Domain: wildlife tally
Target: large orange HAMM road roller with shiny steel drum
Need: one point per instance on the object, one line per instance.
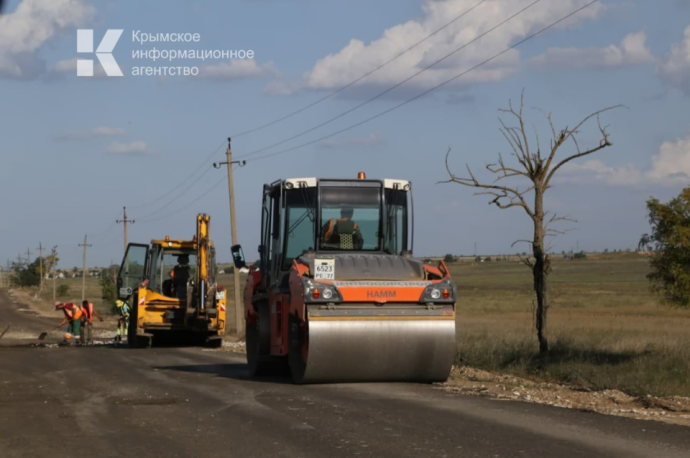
(337, 295)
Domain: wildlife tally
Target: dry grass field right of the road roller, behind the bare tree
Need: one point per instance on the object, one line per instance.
(606, 329)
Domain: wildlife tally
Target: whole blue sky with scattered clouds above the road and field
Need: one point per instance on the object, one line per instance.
(75, 150)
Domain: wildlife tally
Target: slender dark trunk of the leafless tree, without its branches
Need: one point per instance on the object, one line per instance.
(540, 271)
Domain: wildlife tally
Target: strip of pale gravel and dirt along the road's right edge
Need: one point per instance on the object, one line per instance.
(466, 380)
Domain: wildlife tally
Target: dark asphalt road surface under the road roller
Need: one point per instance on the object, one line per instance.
(187, 402)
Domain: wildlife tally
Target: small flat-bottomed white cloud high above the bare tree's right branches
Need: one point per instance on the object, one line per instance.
(632, 51)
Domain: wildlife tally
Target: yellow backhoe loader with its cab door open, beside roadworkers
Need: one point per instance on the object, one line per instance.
(171, 290)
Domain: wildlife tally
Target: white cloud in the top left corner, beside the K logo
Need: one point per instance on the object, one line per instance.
(33, 24)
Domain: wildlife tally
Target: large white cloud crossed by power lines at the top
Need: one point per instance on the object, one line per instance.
(358, 58)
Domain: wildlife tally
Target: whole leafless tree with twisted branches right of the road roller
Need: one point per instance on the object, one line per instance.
(537, 170)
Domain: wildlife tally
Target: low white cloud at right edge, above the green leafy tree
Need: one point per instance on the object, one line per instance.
(670, 167)
